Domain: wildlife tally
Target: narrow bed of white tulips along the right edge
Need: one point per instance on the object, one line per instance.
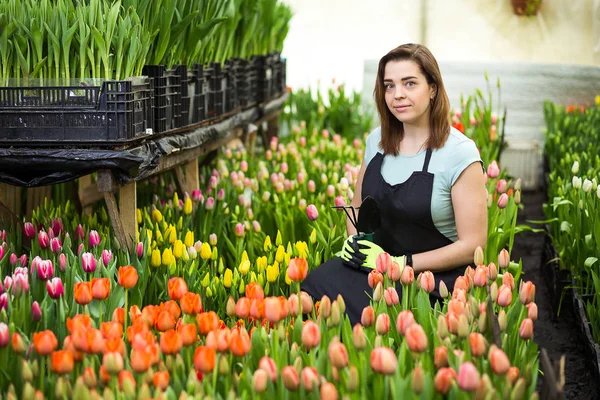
(574, 206)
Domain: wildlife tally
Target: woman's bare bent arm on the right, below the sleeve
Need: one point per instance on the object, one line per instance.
(469, 200)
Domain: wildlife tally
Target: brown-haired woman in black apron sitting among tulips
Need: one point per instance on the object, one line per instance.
(425, 176)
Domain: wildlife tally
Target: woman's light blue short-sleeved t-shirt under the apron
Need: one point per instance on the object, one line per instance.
(447, 163)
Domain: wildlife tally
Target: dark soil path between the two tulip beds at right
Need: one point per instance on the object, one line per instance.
(558, 335)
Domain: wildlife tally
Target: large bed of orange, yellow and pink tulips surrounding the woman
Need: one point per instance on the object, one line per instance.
(208, 302)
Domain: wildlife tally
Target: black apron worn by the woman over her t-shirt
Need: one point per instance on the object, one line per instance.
(406, 227)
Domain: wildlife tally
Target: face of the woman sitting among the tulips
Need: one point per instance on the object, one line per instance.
(407, 93)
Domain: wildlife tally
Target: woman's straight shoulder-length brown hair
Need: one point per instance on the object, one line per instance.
(392, 130)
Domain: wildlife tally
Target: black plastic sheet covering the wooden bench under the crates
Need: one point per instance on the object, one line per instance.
(31, 167)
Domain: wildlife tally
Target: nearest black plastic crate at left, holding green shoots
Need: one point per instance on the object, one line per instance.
(113, 111)
